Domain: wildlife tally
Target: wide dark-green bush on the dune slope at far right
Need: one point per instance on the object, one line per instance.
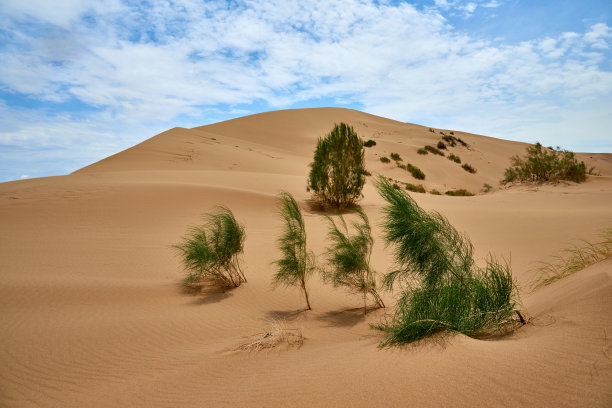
(542, 165)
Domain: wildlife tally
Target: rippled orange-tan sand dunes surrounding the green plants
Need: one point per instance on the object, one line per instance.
(92, 313)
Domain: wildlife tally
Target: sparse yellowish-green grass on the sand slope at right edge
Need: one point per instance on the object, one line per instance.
(574, 259)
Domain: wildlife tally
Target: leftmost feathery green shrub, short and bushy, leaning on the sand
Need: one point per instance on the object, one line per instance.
(210, 251)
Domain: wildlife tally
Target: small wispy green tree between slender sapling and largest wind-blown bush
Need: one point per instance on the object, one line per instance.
(348, 258)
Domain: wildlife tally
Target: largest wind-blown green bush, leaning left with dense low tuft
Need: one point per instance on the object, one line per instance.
(442, 288)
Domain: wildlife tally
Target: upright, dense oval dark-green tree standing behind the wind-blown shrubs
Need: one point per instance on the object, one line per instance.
(337, 171)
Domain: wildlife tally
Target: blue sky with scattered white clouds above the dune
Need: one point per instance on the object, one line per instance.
(81, 80)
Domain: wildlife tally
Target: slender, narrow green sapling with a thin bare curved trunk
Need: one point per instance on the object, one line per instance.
(297, 262)
